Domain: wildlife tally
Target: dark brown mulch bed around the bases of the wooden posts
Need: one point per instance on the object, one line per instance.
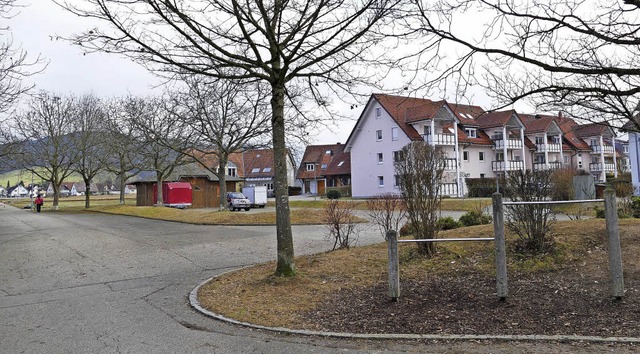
(574, 301)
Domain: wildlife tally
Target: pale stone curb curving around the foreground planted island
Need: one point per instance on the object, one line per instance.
(193, 301)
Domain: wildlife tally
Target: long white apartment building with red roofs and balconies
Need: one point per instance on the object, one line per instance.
(477, 144)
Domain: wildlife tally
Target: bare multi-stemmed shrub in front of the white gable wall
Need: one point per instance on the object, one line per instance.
(419, 172)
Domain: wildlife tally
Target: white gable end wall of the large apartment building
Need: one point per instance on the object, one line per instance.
(365, 168)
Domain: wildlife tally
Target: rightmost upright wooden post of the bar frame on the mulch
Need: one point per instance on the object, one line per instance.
(613, 234)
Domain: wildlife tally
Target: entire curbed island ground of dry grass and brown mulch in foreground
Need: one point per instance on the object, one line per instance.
(565, 293)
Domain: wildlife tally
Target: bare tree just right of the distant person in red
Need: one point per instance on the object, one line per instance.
(45, 138)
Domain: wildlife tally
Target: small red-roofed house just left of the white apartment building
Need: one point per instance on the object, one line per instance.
(325, 166)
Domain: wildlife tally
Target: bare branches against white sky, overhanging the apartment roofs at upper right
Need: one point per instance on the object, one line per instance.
(579, 56)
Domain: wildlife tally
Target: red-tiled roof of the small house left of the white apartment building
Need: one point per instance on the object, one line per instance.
(332, 156)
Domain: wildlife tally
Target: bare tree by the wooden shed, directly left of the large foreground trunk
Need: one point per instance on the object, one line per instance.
(225, 116)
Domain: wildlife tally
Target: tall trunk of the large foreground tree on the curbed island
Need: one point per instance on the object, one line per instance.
(285, 266)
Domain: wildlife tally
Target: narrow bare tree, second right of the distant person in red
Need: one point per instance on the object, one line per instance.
(88, 140)
